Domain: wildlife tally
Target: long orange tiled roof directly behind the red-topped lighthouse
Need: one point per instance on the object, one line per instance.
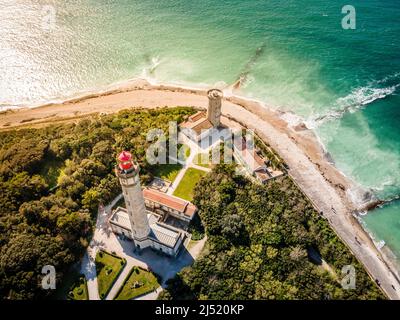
(183, 206)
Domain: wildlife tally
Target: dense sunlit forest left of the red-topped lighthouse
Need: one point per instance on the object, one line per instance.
(52, 180)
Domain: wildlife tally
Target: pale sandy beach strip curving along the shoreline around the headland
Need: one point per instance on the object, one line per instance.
(309, 165)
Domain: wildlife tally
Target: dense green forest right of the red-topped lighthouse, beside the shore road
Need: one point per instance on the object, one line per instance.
(259, 244)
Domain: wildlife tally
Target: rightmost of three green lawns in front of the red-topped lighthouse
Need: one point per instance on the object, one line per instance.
(137, 283)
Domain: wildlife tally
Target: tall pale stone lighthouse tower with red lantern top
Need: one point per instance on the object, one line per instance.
(128, 173)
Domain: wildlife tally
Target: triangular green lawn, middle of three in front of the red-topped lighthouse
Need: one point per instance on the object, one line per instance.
(108, 268)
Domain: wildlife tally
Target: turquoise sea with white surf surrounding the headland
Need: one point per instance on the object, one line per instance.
(295, 55)
